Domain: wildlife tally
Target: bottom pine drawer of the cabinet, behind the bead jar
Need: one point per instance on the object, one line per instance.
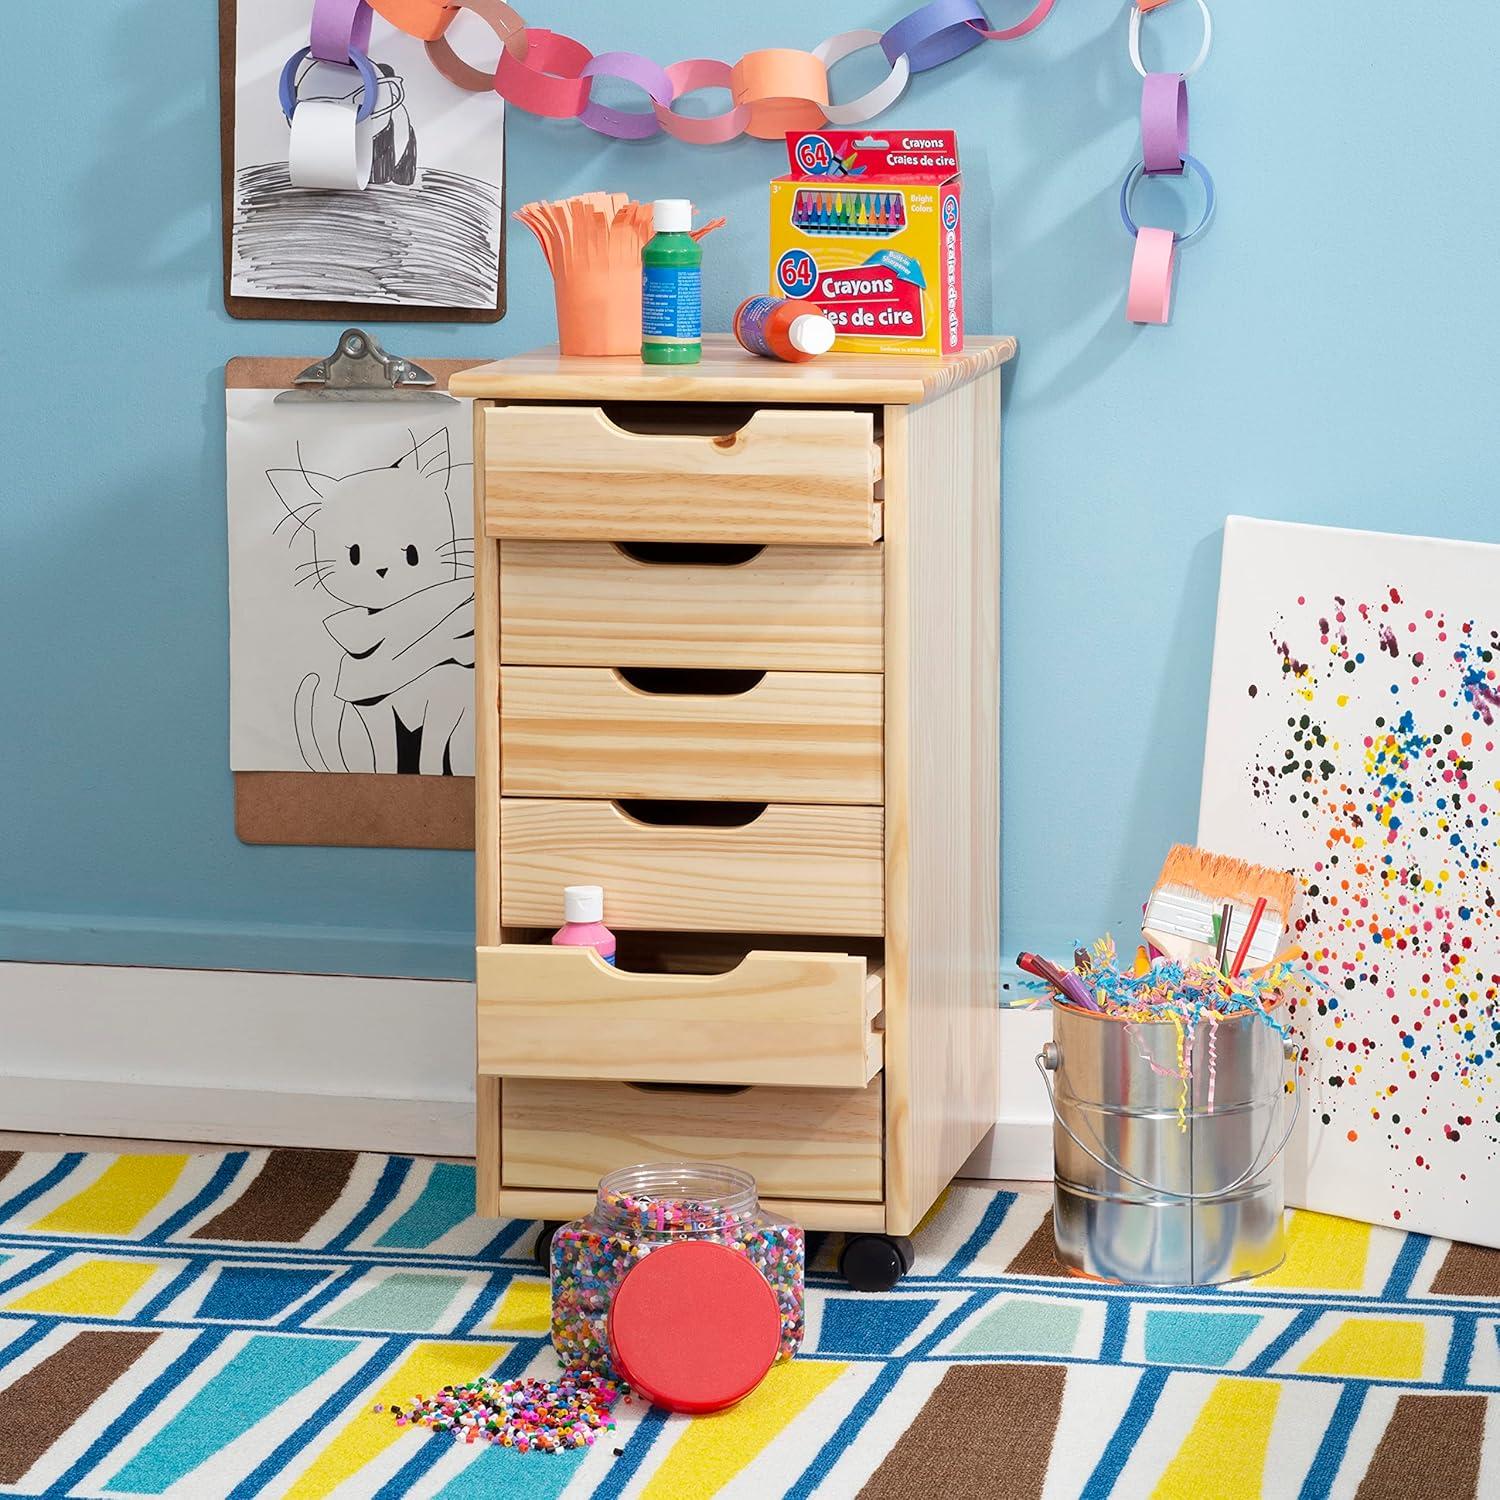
(799, 1144)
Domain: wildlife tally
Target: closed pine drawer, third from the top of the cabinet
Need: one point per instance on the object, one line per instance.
(793, 737)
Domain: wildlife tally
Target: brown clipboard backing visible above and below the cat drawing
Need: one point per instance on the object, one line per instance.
(350, 811)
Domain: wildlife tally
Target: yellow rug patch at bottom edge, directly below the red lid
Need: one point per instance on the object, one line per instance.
(713, 1450)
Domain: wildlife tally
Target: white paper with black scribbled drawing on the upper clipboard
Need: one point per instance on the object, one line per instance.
(425, 233)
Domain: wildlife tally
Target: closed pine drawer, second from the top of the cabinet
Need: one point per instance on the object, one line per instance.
(592, 604)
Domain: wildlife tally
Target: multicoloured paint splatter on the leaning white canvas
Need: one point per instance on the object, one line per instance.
(1403, 898)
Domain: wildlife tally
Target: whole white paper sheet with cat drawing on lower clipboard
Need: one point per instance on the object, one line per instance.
(352, 586)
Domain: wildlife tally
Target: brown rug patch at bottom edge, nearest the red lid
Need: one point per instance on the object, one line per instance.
(986, 1430)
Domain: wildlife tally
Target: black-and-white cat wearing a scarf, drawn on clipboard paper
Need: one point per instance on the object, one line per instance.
(386, 548)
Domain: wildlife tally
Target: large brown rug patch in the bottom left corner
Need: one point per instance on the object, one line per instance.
(50, 1397)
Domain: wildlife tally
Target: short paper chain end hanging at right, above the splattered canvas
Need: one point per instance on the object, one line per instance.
(1165, 152)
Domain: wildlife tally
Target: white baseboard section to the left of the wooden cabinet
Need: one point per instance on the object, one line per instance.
(277, 1060)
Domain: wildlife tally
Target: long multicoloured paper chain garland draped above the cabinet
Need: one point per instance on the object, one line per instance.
(775, 91)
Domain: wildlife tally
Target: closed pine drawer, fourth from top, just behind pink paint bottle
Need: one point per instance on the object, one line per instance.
(790, 871)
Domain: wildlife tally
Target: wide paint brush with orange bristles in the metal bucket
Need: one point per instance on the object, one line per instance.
(1196, 886)
